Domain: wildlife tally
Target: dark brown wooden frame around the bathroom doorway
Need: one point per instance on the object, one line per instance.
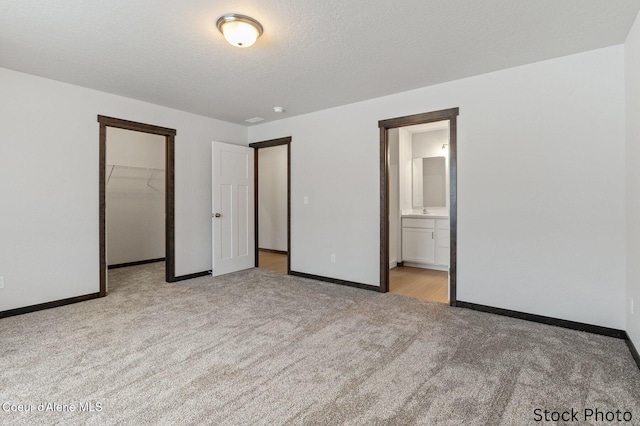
(410, 120)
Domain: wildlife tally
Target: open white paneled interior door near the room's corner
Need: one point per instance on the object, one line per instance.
(232, 216)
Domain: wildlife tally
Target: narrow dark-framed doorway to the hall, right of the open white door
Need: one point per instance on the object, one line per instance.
(273, 204)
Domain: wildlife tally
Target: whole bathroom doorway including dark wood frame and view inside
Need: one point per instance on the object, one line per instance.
(418, 241)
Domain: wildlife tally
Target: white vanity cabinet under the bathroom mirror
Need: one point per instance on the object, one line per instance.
(425, 242)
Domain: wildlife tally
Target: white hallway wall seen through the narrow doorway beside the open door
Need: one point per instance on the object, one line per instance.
(272, 198)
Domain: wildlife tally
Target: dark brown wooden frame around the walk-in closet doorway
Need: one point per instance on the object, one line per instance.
(169, 135)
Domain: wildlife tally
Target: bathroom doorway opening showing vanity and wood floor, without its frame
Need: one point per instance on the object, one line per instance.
(419, 211)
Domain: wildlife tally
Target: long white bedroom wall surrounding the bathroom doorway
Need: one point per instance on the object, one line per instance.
(539, 230)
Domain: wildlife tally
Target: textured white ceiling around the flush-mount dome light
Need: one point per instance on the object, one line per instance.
(314, 54)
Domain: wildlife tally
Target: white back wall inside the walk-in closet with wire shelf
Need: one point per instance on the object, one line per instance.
(135, 196)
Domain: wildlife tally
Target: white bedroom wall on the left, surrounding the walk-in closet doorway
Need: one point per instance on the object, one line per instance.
(49, 185)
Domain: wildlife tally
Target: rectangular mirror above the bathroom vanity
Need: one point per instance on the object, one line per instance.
(429, 182)
